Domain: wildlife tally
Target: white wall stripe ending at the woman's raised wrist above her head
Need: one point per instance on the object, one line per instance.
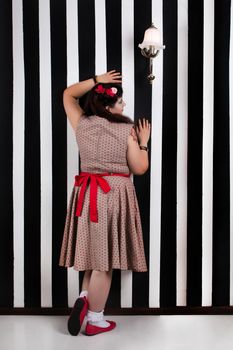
(100, 37)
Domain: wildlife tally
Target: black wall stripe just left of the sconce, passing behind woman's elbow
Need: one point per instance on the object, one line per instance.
(142, 107)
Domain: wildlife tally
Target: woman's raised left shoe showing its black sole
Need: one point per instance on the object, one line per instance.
(77, 315)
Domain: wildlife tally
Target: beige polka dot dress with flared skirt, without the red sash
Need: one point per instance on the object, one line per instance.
(116, 240)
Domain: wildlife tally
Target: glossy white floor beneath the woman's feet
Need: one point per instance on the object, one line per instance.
(132, 332)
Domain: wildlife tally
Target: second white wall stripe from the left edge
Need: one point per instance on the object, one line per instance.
(46, 154)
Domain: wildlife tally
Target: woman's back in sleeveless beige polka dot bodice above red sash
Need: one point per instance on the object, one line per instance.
(102, 145)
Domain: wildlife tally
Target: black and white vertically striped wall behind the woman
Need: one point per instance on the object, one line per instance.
(185, 197)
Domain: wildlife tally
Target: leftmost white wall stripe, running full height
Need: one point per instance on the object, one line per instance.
(18, 151)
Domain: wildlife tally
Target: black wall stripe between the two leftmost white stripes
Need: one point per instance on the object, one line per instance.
(32, 276)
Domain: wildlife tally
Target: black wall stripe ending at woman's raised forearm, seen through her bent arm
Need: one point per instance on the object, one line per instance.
(86, 24)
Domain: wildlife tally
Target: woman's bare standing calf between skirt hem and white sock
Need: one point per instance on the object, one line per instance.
(98, 289)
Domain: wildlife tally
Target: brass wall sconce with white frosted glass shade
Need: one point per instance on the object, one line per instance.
(150, 47)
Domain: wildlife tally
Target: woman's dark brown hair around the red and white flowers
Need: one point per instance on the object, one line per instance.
(96, 102)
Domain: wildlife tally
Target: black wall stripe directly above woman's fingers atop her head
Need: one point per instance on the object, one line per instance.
(113, 39)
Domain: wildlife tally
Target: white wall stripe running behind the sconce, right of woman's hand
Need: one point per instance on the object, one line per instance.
(155, 166)
